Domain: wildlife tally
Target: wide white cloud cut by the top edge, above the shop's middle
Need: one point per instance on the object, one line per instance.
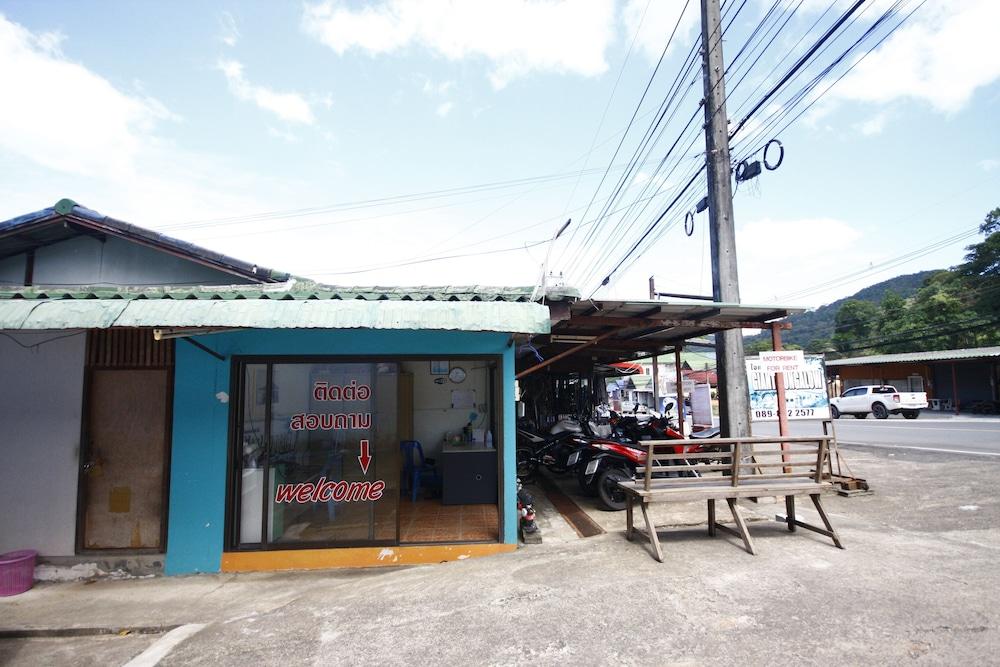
(517, 36)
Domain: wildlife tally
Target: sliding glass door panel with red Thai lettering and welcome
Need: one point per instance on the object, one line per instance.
(316, 453)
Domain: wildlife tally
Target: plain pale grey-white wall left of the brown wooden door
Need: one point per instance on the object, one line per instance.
(41, 400)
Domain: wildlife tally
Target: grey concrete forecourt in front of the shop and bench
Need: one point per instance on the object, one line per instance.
(918, 582)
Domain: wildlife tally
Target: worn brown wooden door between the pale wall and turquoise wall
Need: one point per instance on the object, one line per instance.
(123, 460)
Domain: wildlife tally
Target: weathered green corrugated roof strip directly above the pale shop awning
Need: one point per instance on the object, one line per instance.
(290, 291)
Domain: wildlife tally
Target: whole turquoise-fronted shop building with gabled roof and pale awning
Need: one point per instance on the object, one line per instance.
(252, 421)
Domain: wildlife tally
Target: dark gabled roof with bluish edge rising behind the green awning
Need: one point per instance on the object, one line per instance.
(67, 220)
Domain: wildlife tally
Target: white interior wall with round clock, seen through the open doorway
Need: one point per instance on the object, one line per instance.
(432, 411)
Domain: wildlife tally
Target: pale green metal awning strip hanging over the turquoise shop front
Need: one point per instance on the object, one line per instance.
(49, 314)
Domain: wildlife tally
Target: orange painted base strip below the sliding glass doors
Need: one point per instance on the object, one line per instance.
(321, 559)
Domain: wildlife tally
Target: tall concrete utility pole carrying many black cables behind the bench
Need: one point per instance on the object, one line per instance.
(734, 404)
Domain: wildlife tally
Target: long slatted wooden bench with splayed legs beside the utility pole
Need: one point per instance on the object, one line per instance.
(743, 468)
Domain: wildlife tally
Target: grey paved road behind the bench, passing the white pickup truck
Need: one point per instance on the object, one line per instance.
(966, 435)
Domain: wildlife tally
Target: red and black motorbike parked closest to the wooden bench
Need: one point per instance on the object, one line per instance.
(608, 462)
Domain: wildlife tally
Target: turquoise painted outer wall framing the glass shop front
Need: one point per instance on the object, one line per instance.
(196, 522)
